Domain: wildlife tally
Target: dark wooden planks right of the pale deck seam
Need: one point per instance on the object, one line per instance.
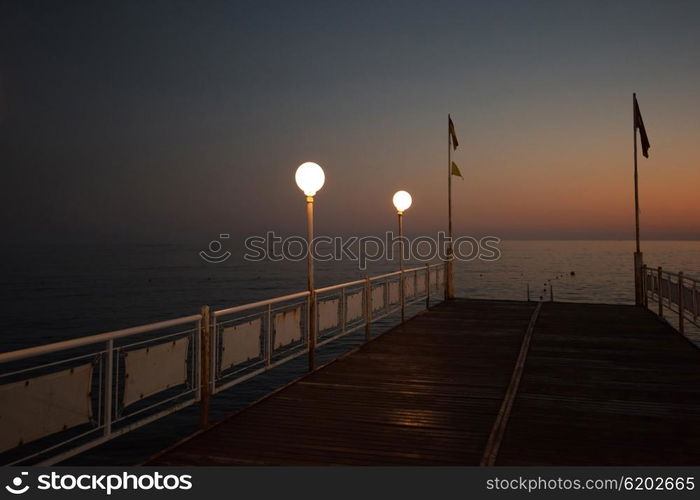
(605, 385)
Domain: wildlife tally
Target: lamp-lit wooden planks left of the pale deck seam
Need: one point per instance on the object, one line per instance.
(425, 393)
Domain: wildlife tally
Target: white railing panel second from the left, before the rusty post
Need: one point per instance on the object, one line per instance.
(153, 369)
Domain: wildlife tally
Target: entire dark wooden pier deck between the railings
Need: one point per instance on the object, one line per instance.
(481, 382)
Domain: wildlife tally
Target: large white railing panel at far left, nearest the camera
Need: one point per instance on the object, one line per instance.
(44, 405)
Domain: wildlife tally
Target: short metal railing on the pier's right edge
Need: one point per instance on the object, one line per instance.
(674, 292)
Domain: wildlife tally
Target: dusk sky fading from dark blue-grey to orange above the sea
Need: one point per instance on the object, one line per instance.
(146, 121)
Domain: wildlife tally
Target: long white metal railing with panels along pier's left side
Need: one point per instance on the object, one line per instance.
(60, 399)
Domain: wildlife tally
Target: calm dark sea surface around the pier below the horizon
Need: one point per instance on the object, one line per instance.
(51, 294)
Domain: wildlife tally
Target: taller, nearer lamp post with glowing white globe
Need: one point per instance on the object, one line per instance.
(310, 178)
